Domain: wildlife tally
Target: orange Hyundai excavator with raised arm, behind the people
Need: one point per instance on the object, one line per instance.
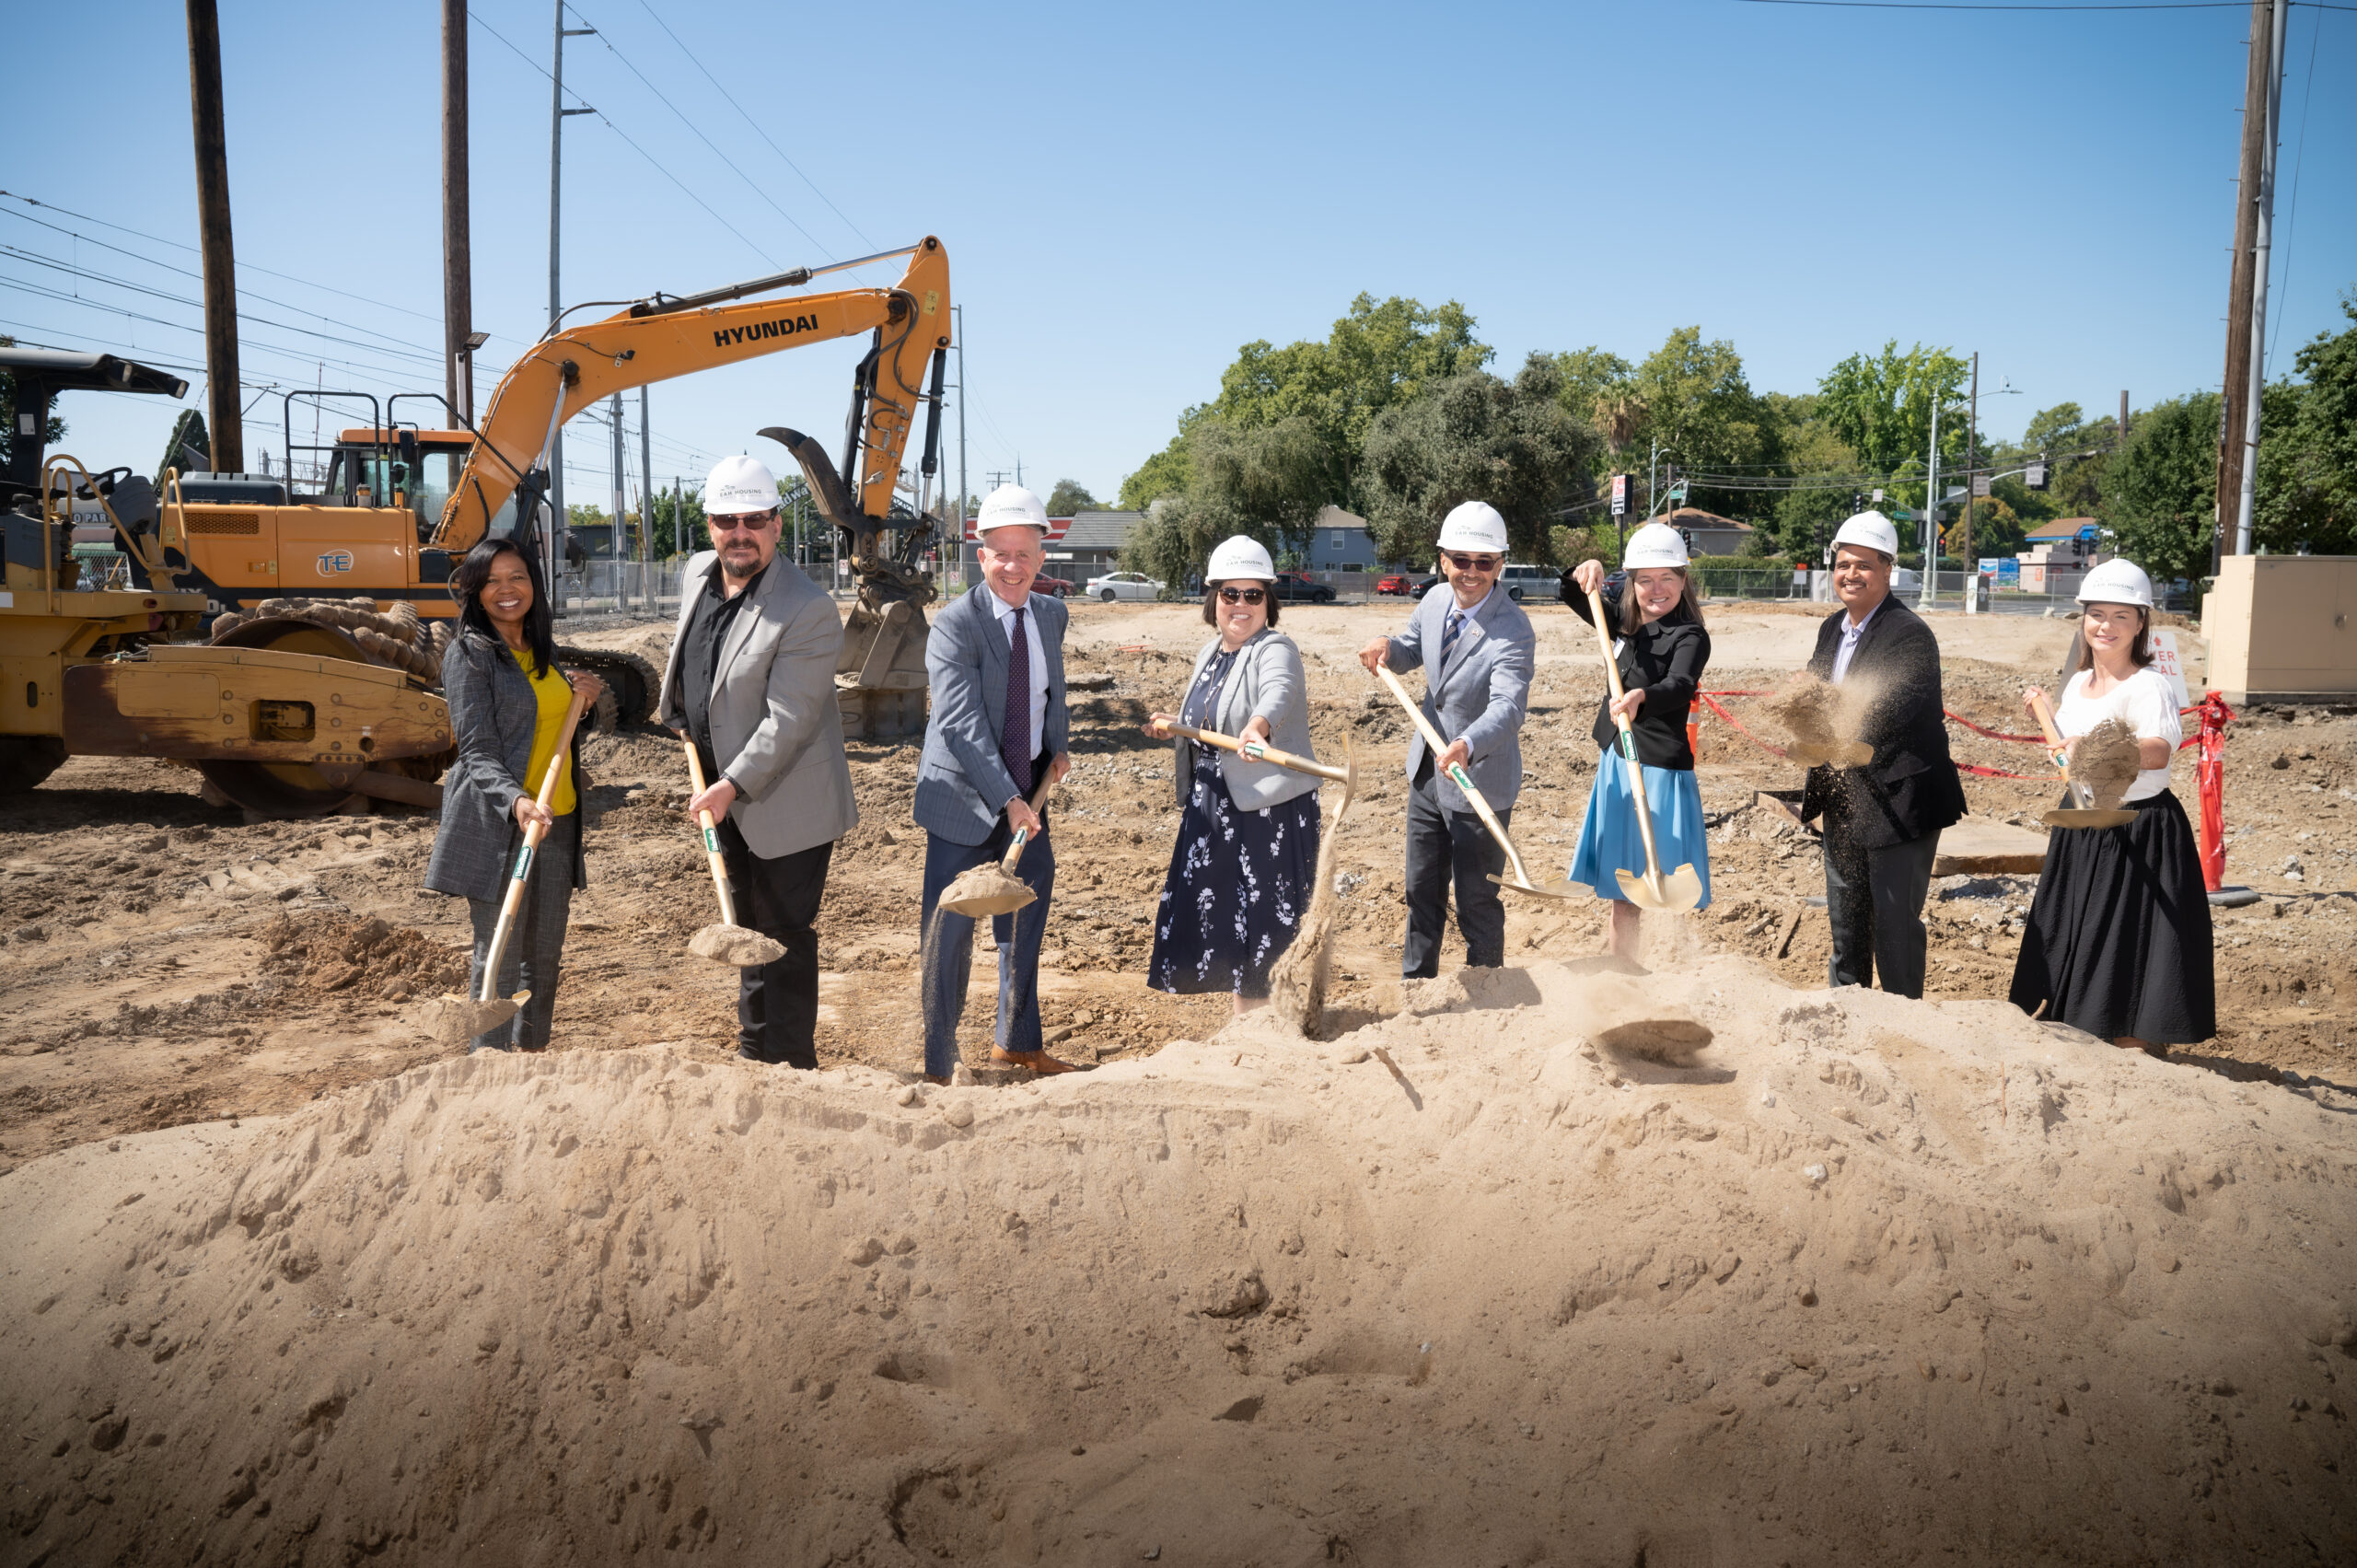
(400, 506)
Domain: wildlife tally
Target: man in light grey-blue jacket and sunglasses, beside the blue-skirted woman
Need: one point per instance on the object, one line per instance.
(1477, 650)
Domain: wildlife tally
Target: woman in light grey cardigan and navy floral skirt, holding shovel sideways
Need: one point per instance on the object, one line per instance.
(1248, 845)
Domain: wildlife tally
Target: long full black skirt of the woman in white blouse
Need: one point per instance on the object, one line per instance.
(2120, 937)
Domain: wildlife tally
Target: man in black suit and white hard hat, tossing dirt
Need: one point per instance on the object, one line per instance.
(1884, 819)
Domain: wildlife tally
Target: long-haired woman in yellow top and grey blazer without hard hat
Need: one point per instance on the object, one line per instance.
(508, 704)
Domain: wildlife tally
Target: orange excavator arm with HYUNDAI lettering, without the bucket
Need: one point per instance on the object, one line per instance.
(661, 338)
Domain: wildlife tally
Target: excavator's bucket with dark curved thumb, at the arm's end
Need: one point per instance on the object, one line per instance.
(880, 678)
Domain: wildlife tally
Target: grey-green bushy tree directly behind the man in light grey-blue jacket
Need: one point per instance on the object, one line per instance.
(1477, 437)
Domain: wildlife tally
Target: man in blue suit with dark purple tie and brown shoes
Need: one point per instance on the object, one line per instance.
(998, 732)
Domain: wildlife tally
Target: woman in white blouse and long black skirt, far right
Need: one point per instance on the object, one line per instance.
(2120, 935)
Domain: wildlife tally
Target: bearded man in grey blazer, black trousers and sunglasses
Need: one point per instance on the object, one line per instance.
(753, 683)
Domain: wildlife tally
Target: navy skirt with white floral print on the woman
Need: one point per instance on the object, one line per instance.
(1239, 888)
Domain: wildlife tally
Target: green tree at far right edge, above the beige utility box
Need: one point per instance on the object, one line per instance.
(2309, 449)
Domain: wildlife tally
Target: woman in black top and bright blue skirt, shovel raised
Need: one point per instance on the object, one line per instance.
(1663, 652)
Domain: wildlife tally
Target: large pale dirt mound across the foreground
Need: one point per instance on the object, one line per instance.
(1877, 1279)
